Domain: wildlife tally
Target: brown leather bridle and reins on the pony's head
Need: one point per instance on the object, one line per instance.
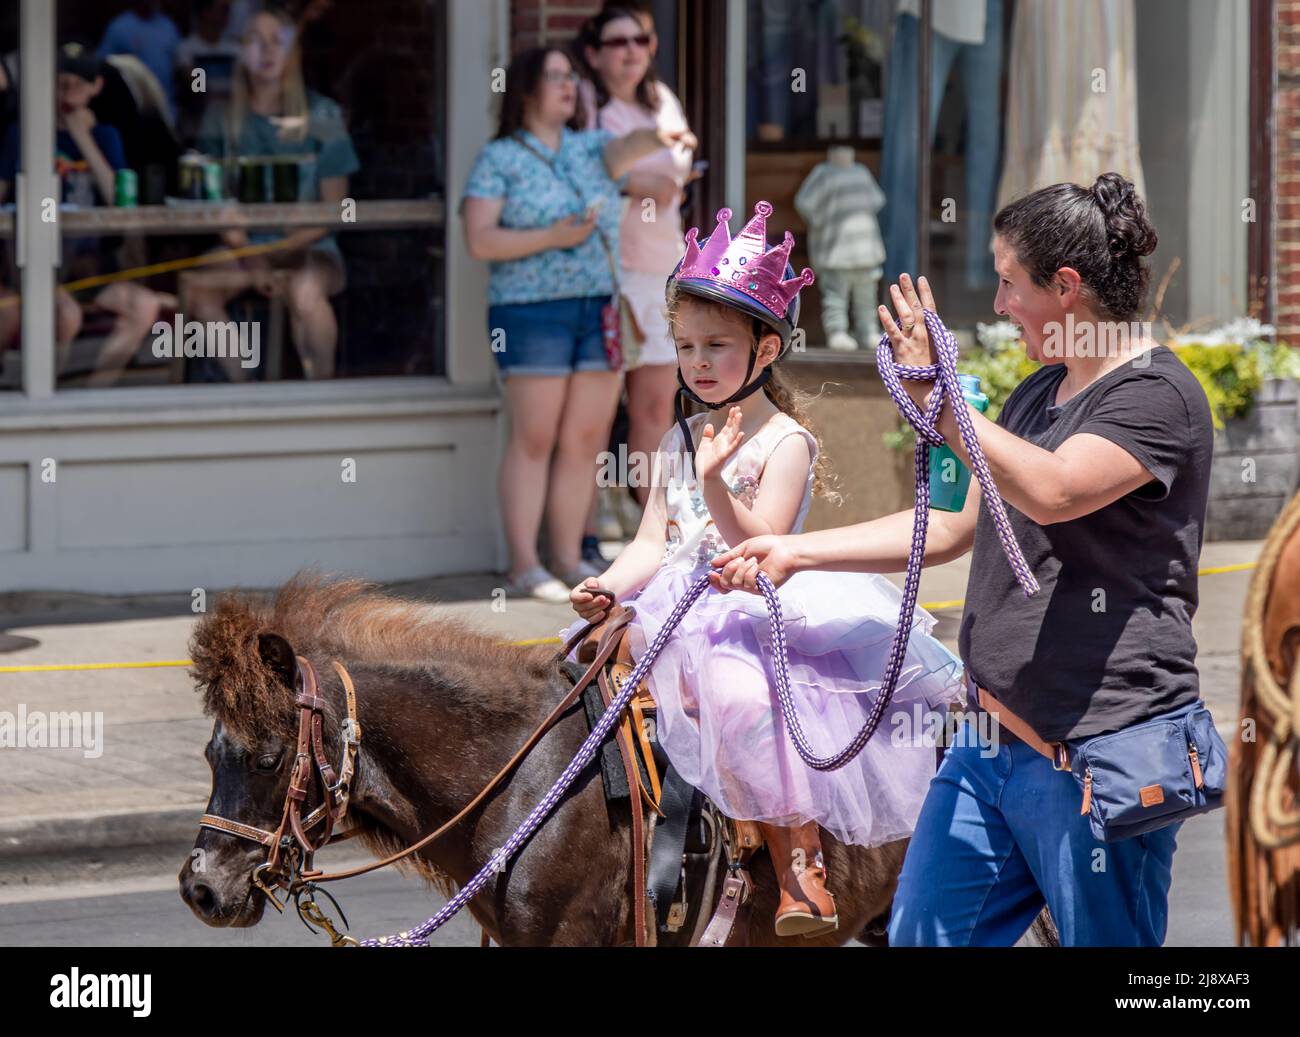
(292, 851)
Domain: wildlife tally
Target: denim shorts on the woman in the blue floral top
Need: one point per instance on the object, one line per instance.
(557, 337)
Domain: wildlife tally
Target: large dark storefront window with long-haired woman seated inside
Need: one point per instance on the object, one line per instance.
(249, 196)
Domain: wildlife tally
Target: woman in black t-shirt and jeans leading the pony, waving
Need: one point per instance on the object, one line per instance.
(1104, 461)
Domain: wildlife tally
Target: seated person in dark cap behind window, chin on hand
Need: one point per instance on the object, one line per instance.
(89, 155)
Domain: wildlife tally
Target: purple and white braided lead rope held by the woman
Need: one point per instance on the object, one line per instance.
(944, 376)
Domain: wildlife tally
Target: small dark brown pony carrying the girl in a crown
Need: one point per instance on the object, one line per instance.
(441, 709)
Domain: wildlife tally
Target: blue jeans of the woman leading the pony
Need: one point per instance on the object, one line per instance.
(999, 836)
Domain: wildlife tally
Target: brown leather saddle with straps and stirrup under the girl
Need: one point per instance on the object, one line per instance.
(690, 835)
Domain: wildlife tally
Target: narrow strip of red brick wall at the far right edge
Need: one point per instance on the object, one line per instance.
(1288, 158)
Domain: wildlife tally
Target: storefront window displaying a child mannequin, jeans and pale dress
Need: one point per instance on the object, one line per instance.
(1022, 94)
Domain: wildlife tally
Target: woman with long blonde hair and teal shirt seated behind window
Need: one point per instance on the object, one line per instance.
(272, 114)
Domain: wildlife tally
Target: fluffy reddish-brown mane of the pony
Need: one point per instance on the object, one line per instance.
(328, 618)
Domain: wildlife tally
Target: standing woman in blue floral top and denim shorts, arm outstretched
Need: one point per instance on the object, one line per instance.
(541, 207)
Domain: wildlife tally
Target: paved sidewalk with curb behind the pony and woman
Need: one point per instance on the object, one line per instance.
(153, 782)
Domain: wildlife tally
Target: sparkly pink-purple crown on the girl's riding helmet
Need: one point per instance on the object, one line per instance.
(746, 263)
